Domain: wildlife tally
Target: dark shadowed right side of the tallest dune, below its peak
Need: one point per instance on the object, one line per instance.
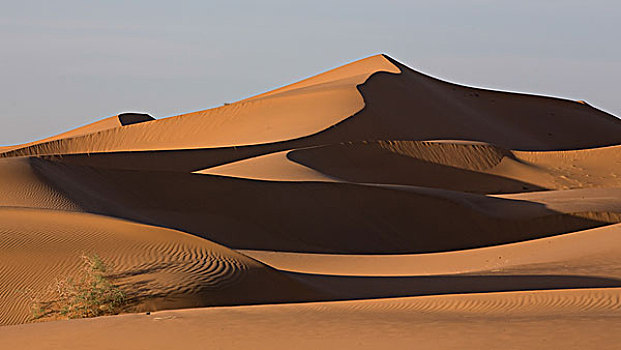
(448, 111)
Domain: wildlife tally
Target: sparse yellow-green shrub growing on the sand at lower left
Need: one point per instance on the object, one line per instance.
(93, 294)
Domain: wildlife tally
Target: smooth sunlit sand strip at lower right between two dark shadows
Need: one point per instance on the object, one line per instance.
(572, 249)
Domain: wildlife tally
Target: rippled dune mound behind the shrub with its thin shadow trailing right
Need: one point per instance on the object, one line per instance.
(169, 269)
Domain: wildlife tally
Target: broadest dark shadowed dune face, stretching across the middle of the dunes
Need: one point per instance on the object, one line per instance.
(248, 214)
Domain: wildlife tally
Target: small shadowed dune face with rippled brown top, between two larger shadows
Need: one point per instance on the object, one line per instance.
(414, 163)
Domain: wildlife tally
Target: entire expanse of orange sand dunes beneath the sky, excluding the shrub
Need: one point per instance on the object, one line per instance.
(372, 194)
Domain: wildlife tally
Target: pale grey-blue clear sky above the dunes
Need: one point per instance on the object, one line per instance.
(64, 64)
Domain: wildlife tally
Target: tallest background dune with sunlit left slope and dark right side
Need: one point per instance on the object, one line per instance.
(353, 103)
